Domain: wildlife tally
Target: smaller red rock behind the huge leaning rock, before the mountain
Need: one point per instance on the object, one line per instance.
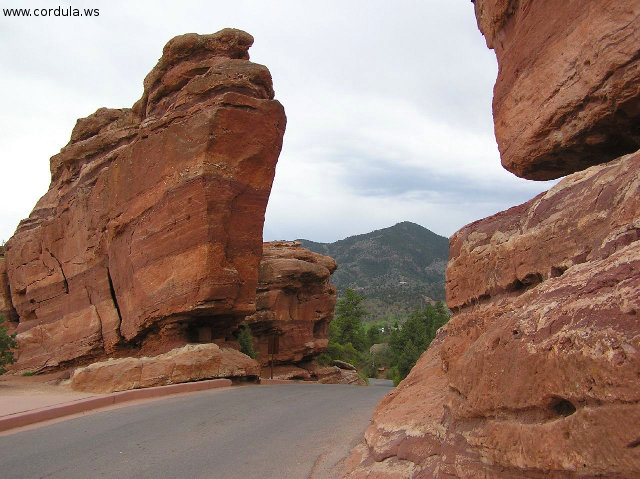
(294, 301)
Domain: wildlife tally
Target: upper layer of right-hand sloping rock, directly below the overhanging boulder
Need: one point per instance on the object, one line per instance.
(586, 217)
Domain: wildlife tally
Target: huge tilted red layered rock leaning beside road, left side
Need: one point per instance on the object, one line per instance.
(152, 225)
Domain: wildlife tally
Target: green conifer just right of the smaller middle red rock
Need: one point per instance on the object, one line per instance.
(347, 325)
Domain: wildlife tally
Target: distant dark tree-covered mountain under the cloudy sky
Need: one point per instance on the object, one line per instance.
(396, 268)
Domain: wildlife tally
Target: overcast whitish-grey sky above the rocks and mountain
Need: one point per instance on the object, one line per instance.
(388, 104)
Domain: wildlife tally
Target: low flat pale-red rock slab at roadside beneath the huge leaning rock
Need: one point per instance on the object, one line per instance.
(192, 362)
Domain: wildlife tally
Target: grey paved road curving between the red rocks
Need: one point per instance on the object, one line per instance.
(280, 431)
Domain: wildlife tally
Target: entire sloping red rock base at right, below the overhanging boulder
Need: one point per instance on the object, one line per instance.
(540, 380)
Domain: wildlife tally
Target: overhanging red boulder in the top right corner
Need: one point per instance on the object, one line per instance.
(567, 94)
